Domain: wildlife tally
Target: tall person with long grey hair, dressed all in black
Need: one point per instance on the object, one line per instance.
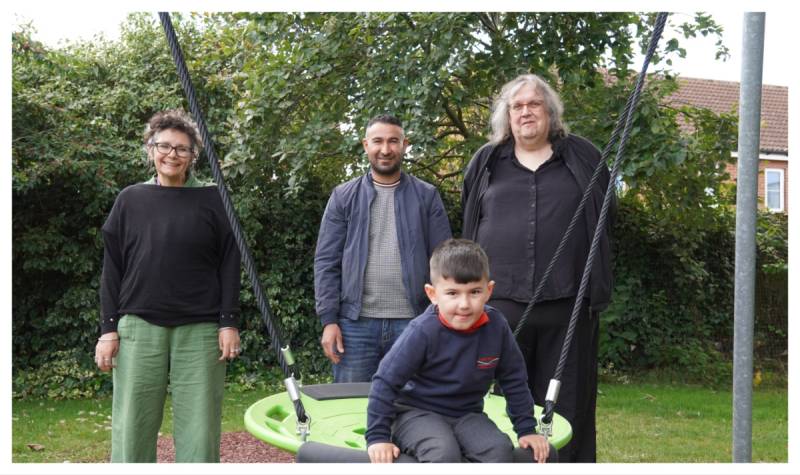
(519, 194)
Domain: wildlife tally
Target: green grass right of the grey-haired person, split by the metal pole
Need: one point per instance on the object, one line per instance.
(669, 423)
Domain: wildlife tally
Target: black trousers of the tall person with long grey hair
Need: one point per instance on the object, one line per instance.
(540, 342)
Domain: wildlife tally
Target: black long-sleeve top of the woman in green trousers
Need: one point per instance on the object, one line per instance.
(170, 258)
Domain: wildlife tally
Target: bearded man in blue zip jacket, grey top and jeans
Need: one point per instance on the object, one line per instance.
(371, 262)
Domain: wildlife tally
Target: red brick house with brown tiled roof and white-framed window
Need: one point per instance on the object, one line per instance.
(773, 163)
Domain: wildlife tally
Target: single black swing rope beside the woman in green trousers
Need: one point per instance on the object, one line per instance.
(284, 355)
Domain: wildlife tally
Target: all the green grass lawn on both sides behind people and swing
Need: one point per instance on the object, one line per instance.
(636, 422)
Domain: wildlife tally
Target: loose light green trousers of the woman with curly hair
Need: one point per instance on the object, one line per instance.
(149, 358)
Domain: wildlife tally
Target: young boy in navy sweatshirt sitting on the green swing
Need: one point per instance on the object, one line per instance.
(427, 396)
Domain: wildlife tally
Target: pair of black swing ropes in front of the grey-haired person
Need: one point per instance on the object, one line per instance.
(627, 119)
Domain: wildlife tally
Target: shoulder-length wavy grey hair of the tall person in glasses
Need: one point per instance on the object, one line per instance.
(501, 127)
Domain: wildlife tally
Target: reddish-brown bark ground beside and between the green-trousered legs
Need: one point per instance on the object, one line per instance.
(235, 447)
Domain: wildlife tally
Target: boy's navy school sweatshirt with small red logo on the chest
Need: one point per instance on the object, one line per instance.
(435, 368)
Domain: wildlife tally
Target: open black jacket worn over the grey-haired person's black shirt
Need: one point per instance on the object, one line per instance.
(581, 158)
